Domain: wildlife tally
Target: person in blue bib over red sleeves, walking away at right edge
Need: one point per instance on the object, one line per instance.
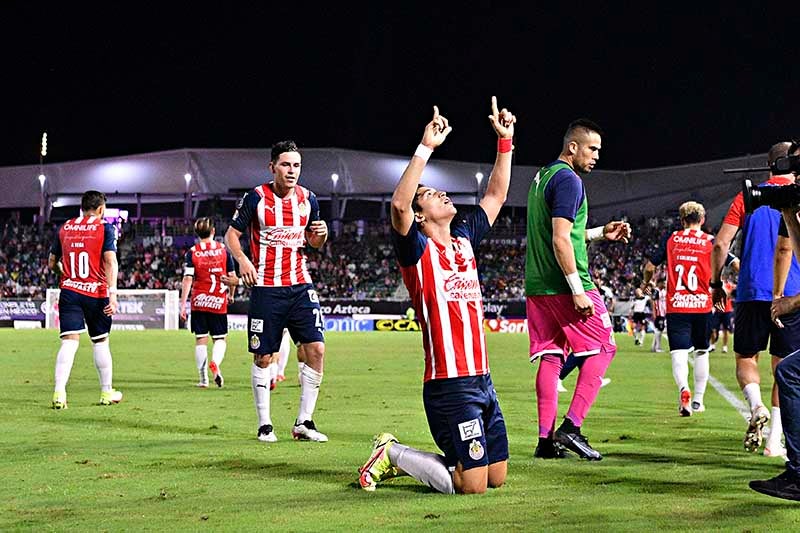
(755, 291)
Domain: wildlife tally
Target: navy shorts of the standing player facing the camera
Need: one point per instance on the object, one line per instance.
(295, 308)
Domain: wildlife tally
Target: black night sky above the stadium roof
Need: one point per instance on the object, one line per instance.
(668, 85)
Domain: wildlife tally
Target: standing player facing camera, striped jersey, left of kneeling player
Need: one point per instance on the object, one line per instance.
(280, 218)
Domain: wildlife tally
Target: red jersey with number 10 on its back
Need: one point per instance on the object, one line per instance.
(80, 246)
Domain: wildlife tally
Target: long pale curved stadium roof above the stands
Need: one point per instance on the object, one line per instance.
(159, 177)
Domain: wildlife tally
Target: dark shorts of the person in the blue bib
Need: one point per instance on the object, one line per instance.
(754, 328)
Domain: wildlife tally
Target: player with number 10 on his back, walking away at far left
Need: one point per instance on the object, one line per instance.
(85, 255)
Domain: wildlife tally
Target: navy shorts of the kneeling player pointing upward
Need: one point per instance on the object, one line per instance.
(465, 421)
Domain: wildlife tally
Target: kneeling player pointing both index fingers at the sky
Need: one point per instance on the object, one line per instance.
(437, 261)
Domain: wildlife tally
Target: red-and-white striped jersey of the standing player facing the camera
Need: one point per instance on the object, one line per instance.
(277, 229)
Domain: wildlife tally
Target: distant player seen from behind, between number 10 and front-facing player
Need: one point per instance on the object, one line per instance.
(206, 274)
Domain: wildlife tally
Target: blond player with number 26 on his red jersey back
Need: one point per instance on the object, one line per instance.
(688, 255)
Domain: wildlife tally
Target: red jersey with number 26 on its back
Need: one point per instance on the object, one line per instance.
(689, 271)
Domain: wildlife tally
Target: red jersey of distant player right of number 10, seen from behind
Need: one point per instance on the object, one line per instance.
(206, 262)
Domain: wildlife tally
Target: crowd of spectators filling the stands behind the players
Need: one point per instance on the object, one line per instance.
(357, 262)
